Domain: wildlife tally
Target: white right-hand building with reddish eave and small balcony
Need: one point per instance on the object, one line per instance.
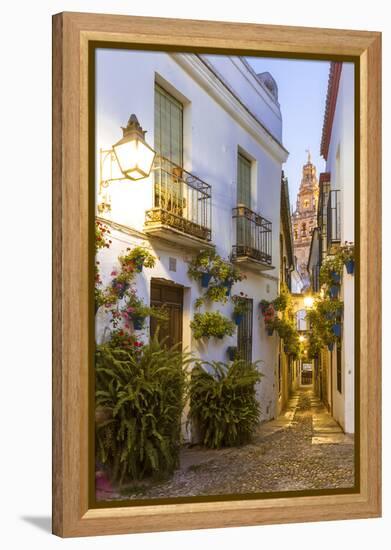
(338, 184)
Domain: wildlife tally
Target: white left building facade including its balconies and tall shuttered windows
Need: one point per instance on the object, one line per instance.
(220, 123)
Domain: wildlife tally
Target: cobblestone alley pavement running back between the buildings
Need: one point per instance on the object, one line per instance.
(302, 449)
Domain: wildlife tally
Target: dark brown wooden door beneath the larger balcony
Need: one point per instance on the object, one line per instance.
(171, 298)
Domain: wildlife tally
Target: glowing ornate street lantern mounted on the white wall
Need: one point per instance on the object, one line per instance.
(135, 157)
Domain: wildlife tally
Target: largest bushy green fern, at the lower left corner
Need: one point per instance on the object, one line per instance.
(142, 394)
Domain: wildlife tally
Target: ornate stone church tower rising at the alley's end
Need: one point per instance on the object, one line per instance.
(304, 219)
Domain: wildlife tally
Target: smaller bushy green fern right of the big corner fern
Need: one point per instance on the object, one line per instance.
(223, 402)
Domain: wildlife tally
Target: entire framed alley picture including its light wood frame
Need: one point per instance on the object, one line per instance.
(216, 207)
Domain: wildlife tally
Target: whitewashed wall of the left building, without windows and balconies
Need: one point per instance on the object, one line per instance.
(212, 137)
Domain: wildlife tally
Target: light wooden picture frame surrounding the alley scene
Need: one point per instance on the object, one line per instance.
(72, 34)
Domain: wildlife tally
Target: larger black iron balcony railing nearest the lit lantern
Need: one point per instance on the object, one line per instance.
(181, 201)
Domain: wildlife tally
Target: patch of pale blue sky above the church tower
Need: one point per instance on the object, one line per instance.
(302, 88)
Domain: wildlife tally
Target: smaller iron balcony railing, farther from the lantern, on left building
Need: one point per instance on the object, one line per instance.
(253, 236)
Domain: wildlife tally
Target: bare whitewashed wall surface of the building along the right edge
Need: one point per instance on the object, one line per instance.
(340, 164)
